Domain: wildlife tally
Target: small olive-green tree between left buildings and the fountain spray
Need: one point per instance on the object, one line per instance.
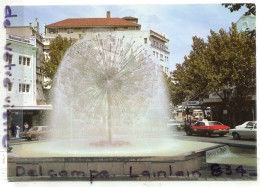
(51, 62)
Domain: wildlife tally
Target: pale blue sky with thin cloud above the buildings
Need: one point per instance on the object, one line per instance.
(178, 22)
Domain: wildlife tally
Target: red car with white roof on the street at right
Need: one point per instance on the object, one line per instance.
(207, 128)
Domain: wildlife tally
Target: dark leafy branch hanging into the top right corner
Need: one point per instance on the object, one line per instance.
(237, 6)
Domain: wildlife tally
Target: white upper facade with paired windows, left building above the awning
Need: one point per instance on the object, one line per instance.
(22, 89)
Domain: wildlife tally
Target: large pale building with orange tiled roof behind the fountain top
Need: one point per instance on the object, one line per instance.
(156, 44)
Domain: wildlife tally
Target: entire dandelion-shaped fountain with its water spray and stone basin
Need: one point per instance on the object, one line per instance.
(110, 114)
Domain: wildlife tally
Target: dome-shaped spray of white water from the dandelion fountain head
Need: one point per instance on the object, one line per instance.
(109, 83)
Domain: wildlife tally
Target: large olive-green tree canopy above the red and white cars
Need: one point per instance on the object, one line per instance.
(226, 60)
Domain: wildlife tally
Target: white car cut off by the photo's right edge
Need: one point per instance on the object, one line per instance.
(245, 131)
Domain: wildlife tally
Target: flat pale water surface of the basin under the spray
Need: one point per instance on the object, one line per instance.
(85, 148)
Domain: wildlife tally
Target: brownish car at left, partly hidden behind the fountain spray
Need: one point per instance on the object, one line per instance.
(36, 132)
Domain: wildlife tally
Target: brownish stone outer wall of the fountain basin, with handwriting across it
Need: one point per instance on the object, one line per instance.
(107, 168)
